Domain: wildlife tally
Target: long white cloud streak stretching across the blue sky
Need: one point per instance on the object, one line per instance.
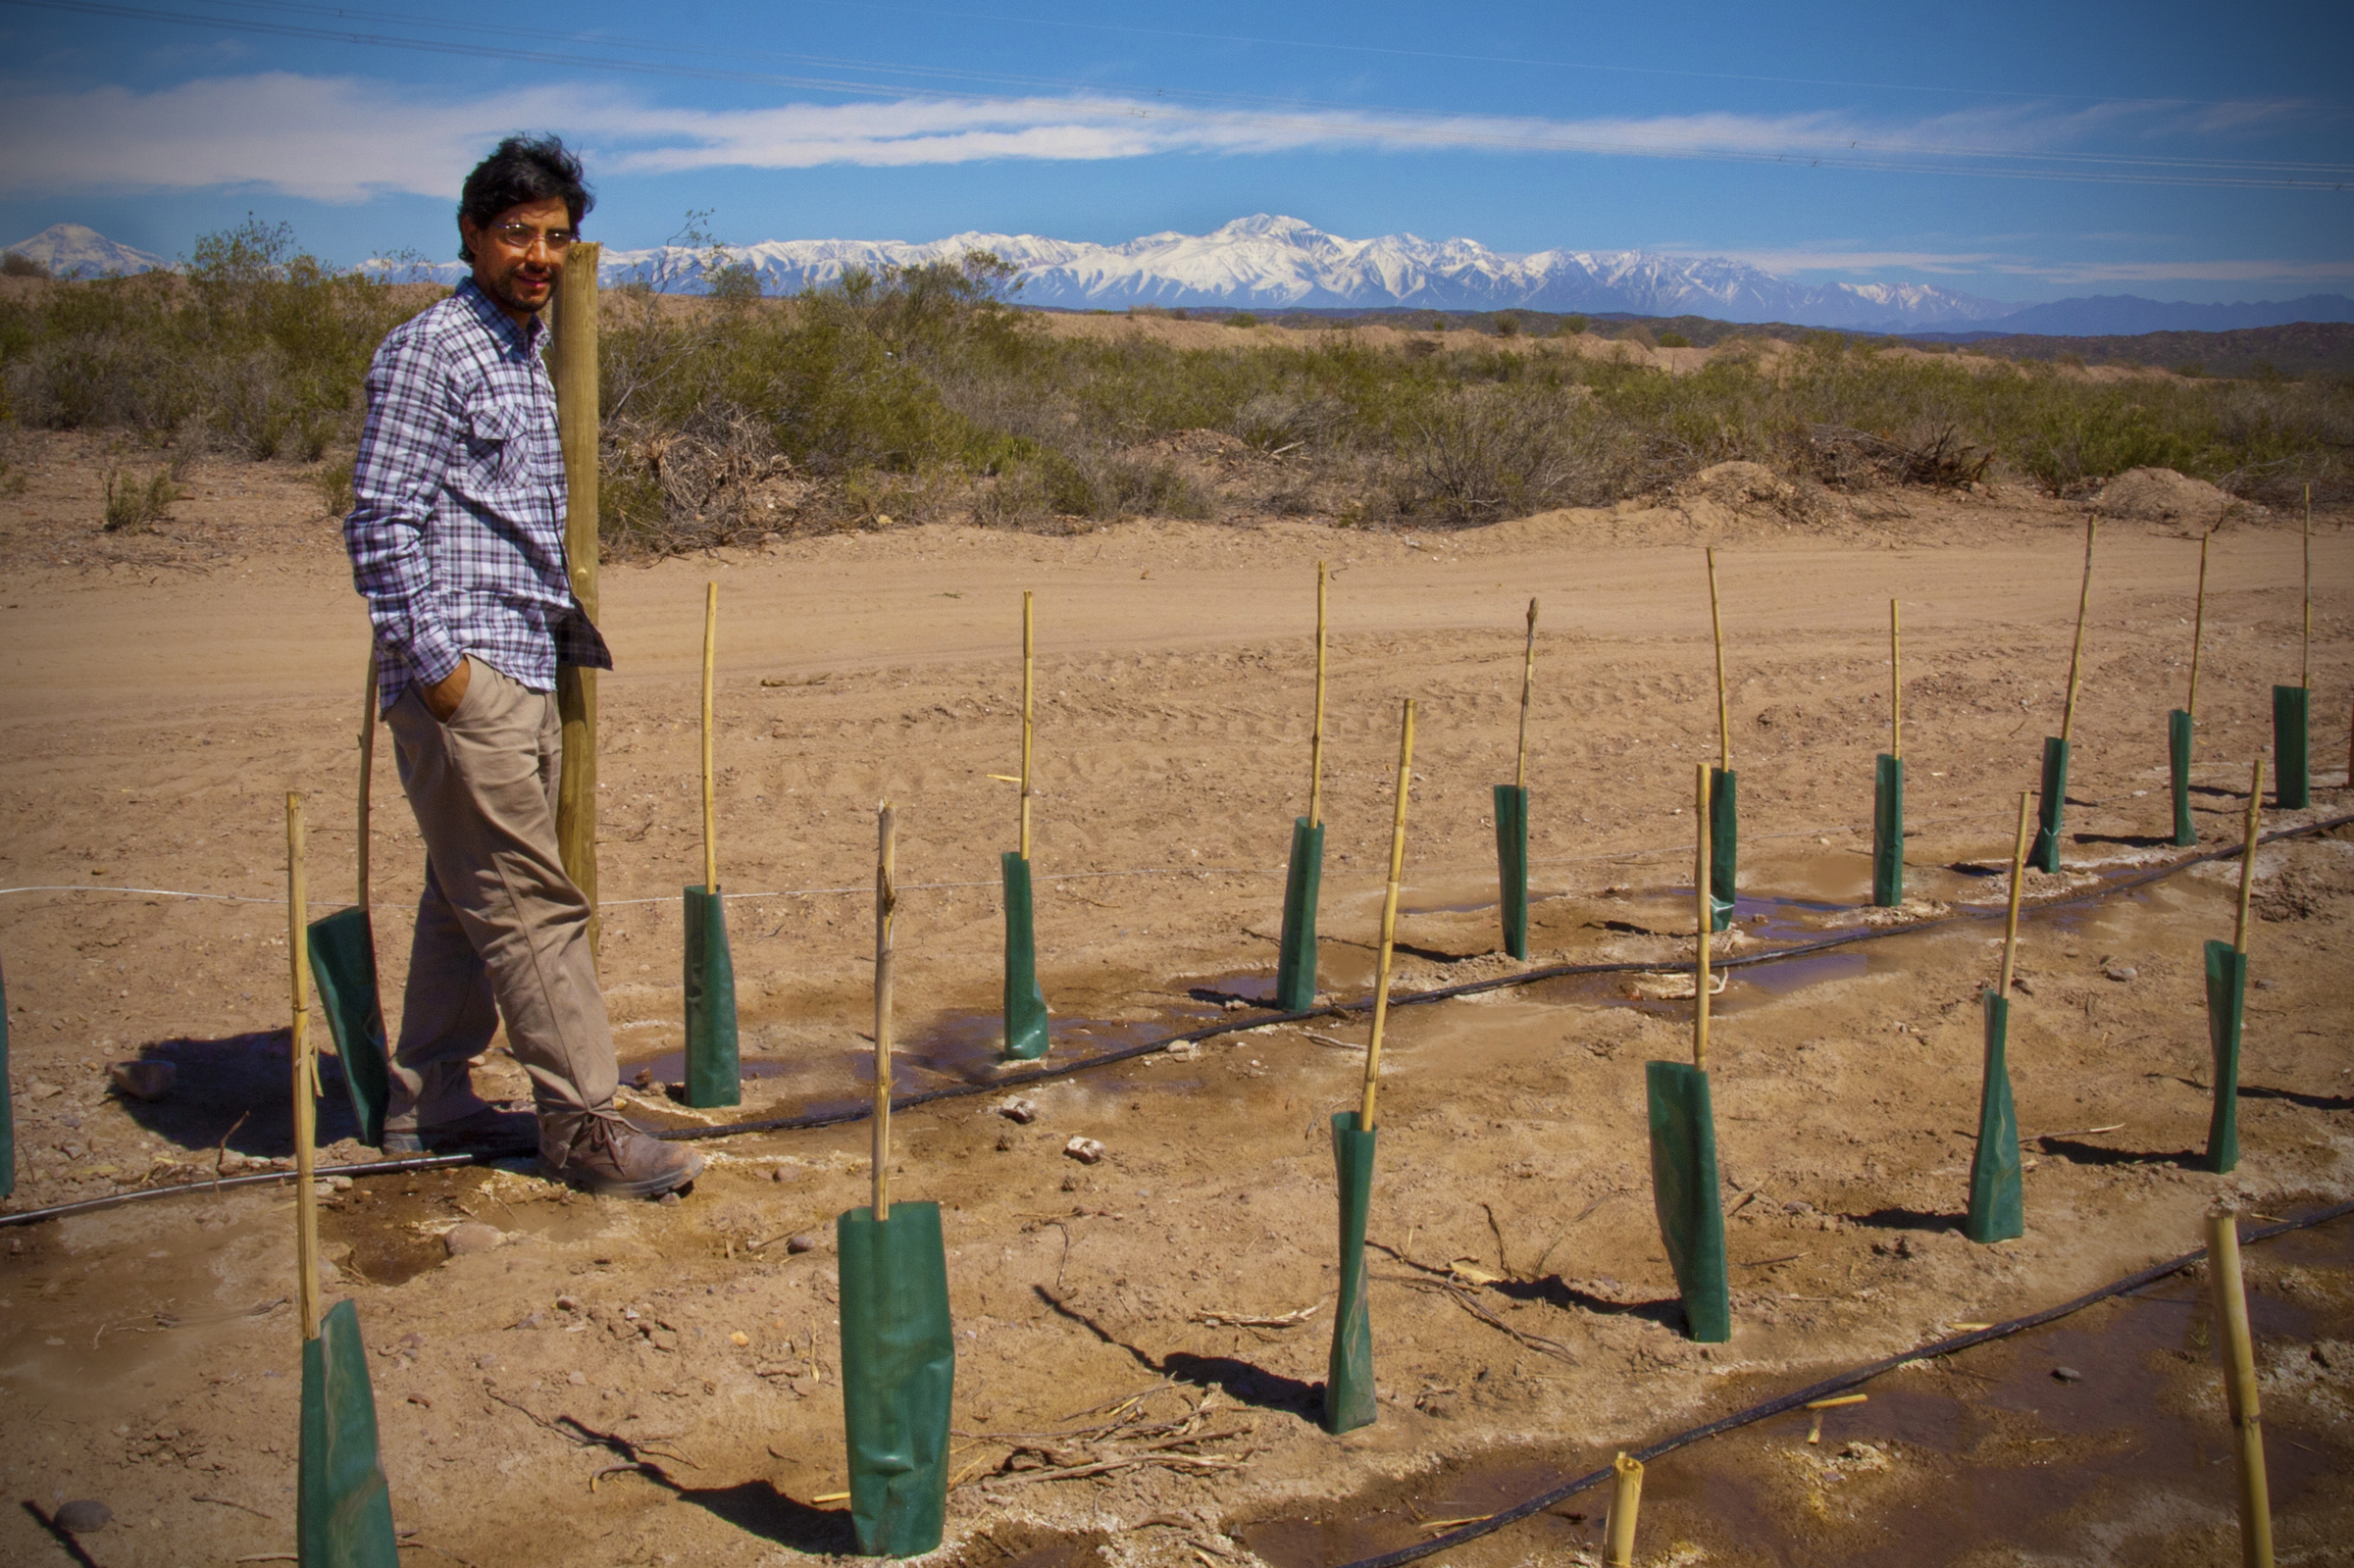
(350, 138)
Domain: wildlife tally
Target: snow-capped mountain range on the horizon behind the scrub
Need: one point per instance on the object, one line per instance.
(1279, 265)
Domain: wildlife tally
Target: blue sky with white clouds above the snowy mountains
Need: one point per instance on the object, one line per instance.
(2007, 150)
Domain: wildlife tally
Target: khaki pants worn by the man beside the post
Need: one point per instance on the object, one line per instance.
(500, 929)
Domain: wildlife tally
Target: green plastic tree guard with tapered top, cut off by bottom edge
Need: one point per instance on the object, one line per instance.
(343, 1508)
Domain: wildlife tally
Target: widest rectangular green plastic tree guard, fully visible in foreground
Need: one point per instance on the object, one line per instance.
(898, 1376)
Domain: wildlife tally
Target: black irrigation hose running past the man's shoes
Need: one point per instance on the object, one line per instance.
(1190, 1037)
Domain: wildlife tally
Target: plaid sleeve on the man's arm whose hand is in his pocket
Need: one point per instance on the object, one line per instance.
(406, 453)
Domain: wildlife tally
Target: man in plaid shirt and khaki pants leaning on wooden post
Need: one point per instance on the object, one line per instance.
(458, 543)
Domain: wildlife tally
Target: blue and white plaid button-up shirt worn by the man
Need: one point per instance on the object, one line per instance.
(458, 538)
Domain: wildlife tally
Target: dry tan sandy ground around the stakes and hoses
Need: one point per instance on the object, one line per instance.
(164, 691)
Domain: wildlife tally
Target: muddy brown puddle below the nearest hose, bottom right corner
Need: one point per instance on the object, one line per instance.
(1969, 1461)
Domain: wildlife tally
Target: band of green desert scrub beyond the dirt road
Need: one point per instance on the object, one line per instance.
(924, 394)
